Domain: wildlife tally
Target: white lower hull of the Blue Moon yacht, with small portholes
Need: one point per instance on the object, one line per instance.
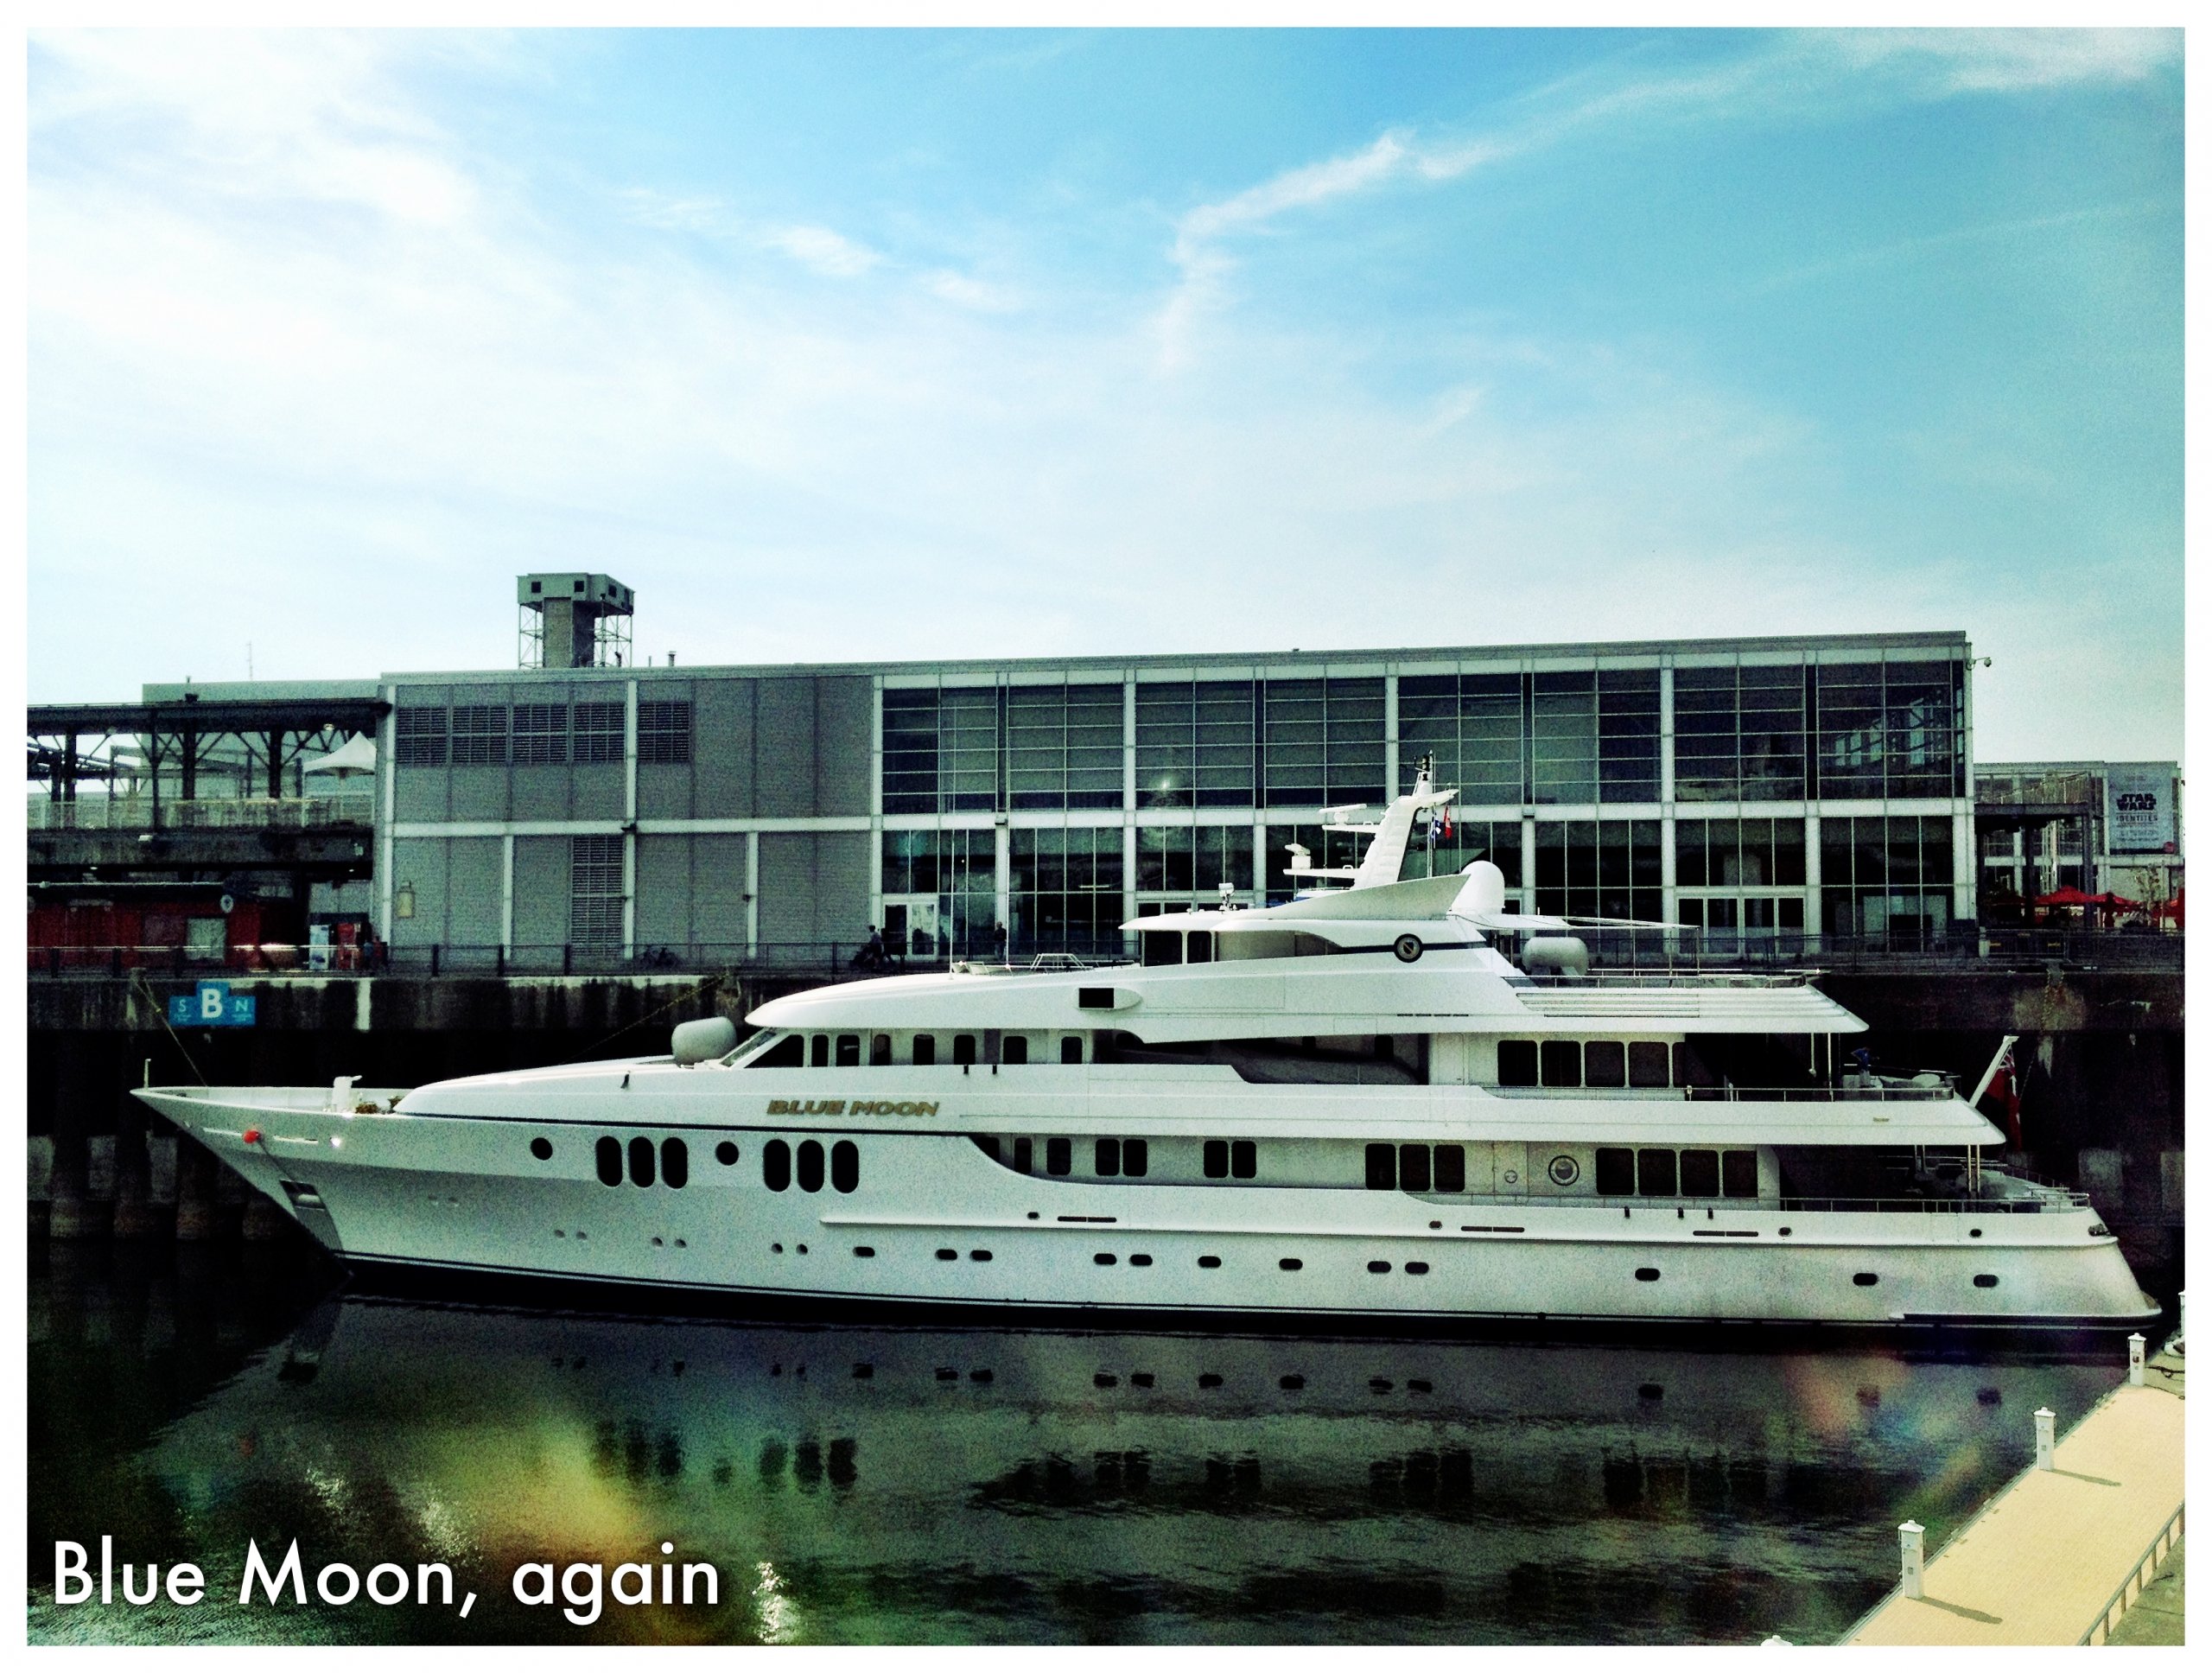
(932, 1223)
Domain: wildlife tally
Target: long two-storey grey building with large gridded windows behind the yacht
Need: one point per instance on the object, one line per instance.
(1813, 787)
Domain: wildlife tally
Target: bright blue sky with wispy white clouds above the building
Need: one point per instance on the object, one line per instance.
(884, 346)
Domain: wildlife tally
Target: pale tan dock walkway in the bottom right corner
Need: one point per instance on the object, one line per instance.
(2049, 1552)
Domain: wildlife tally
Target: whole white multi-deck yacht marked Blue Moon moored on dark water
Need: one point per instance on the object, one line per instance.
(1353, 1105)
